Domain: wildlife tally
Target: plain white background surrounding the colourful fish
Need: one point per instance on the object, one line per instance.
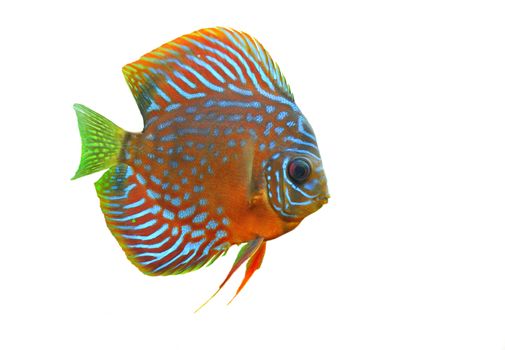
(407, 101)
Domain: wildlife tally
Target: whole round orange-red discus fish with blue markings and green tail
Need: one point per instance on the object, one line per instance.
(225, 156)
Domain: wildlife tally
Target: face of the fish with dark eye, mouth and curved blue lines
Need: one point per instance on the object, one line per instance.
(296, 184)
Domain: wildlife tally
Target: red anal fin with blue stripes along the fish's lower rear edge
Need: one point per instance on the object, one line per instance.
(154, 241)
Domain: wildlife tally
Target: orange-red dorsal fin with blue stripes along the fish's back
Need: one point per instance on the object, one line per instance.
(203, 63)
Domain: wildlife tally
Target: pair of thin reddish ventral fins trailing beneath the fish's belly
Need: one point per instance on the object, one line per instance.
(253, 251)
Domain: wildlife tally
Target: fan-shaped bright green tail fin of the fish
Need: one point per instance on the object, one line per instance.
(101, 141)
